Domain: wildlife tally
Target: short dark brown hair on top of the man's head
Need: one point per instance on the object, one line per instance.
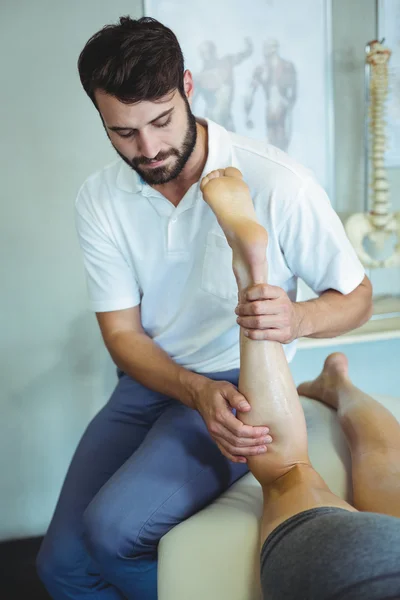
(133, 60)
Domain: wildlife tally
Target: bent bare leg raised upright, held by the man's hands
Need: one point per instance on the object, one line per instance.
(290, 484)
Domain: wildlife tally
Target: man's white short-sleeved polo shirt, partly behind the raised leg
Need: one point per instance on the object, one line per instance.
(175, 262)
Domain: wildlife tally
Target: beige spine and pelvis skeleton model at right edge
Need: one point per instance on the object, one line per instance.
(379, 225)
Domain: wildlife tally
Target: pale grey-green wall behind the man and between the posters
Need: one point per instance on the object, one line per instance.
(54, 372)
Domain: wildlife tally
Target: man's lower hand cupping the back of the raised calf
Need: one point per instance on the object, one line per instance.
(215, 401)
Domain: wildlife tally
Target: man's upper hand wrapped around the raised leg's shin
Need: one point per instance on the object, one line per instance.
(269, 314)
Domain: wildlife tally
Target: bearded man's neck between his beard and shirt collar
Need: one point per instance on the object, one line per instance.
(175, 190)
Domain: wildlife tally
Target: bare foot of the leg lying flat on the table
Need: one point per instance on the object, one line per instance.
(334, 376)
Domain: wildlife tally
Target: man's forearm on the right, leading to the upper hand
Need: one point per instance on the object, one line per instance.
(334, 313)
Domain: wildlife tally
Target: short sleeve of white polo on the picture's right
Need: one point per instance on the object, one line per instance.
(315, 244)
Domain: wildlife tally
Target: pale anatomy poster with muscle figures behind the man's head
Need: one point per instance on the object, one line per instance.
(261, 69)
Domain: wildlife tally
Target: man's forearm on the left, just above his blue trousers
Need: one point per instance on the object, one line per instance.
(141, 358)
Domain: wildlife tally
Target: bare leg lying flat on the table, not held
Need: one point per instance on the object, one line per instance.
(372, 432)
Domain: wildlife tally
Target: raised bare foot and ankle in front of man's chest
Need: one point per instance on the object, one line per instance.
(229, 198)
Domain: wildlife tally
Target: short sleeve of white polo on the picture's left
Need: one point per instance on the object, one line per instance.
(111, 281)
